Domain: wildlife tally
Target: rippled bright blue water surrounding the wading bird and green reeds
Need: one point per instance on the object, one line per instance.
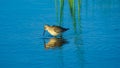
(22, 43)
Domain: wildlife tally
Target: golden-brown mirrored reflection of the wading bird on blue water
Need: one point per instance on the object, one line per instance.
(55, 42)
